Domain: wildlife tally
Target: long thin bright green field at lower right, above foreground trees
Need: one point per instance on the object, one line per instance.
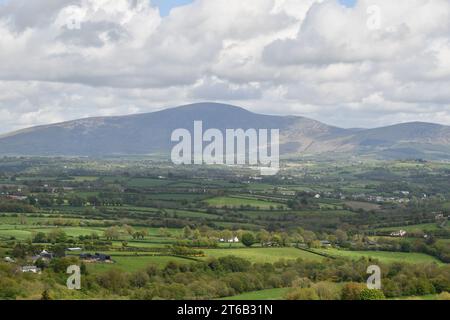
(383, 256)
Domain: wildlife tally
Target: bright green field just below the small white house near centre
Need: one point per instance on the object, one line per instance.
(264, 255)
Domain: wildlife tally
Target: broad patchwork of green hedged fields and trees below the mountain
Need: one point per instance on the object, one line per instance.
(147, 230)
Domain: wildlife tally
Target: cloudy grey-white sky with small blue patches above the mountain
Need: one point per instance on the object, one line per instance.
(364, 63)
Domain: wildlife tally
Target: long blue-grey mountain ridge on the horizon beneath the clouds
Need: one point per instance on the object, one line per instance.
(148, 133)
